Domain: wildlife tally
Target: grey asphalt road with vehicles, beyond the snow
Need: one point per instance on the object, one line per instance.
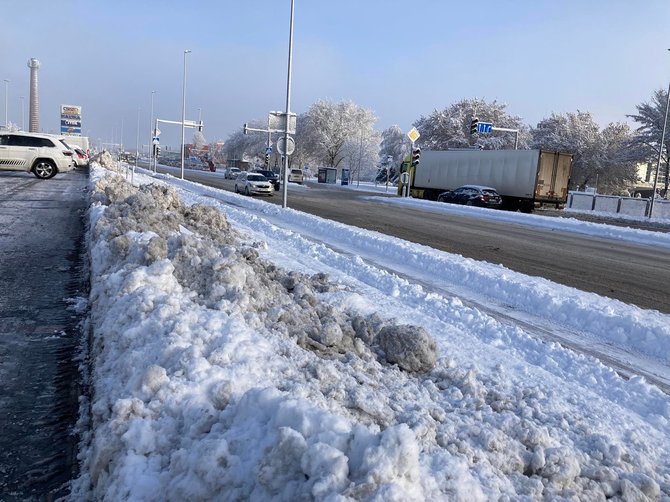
(634, 274)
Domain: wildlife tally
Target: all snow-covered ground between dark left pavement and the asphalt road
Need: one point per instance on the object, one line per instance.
(243, 351)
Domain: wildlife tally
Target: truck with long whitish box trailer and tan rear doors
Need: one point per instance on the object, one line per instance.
(523, 178)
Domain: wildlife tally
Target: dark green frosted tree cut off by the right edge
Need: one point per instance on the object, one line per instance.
(647, 140)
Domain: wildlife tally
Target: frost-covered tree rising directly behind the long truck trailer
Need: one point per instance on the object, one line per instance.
(450, 128)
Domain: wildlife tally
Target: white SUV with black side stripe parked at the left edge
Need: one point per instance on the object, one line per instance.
(43, 155)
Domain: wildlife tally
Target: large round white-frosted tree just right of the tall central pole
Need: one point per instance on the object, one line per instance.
(330, 131)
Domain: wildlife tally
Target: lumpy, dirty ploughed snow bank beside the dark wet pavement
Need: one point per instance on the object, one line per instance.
(218, 375)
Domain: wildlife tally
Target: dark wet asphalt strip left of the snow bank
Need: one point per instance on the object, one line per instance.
(42, 269)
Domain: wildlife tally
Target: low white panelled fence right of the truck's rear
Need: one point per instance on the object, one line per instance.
(628, 206)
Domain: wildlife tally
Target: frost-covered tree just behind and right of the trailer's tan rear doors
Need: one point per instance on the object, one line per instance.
(600, 158)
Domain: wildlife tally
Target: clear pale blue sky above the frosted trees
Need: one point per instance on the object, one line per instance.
(401, 59)
